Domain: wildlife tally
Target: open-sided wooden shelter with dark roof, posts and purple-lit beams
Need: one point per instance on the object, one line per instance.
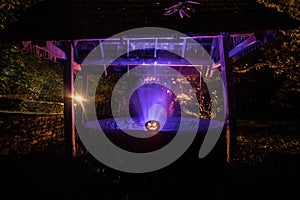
(59, 30)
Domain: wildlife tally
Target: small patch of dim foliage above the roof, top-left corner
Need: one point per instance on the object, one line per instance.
(10, 10)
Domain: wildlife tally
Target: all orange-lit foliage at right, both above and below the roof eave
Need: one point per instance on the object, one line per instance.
(281, 56)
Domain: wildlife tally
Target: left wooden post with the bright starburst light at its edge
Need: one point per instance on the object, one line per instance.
(68, 77)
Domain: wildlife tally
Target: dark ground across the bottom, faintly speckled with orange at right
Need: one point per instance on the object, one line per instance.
(265, 165)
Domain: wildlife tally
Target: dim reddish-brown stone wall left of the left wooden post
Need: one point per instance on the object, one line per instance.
(28, 133)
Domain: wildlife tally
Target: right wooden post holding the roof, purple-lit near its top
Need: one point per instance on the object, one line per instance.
(230, 101)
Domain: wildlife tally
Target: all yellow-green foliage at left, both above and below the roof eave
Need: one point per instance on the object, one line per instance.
(23, 76)
